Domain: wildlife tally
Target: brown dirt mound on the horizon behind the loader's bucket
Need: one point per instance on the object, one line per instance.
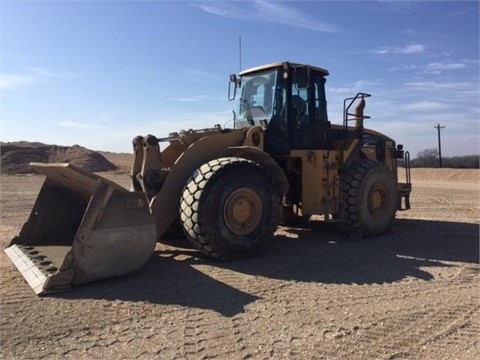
(16, 156)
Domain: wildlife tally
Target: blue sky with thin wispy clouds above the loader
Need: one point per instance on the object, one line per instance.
(99, 73)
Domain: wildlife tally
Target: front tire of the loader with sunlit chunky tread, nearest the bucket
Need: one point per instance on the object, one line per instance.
(230, 208)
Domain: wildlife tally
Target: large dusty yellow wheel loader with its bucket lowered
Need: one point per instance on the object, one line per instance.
(227, 189)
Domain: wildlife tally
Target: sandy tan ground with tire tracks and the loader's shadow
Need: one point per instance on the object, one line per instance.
(412, 294)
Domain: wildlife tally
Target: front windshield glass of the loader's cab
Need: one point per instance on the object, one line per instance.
(256, 98)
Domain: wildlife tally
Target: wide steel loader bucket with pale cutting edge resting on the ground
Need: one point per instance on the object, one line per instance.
(82, 228)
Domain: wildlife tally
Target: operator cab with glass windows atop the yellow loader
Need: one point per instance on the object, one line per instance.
(288, 100)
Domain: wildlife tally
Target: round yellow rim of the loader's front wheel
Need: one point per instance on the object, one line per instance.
(243, 211)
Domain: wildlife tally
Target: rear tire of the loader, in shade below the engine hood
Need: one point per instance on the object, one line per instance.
(370, 198)
